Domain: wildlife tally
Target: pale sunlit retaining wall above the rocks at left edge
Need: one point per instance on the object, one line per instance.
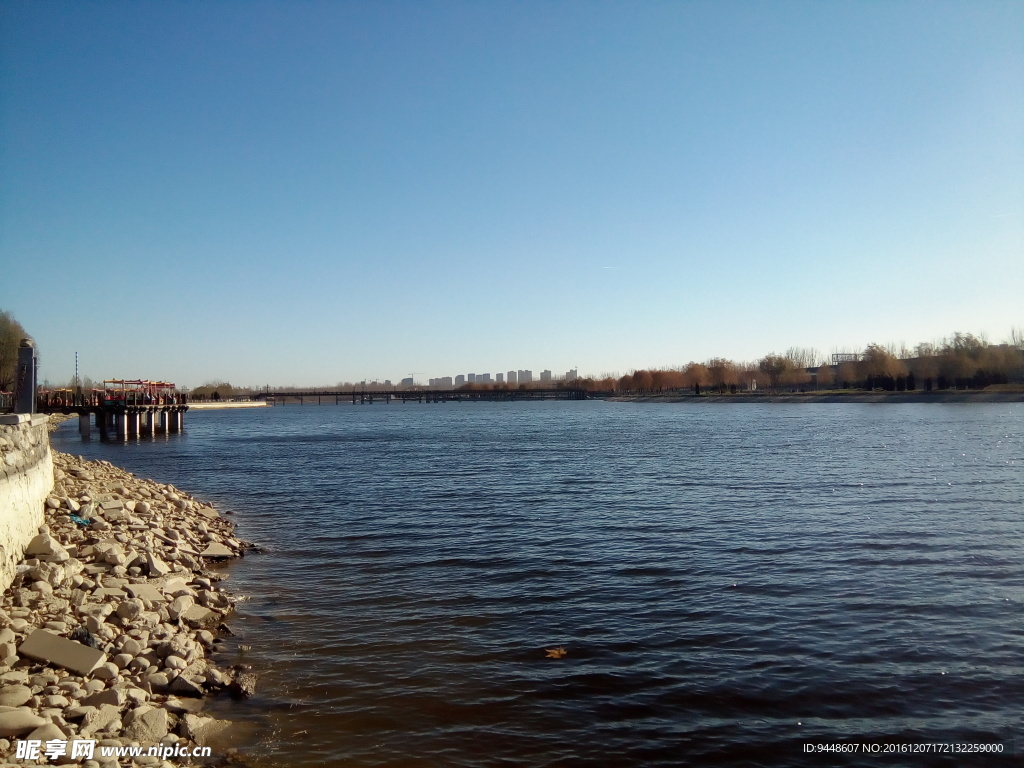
(26, 481)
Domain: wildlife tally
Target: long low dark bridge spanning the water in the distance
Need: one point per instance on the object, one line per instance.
(420, 396)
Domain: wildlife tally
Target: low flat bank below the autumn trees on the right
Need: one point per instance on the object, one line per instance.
(804, 398)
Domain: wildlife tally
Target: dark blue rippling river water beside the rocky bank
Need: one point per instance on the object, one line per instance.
(730, 582)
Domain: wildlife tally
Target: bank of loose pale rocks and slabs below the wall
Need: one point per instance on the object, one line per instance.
(106, 632)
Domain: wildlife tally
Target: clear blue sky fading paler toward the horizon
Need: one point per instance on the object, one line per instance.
(306, 193)
